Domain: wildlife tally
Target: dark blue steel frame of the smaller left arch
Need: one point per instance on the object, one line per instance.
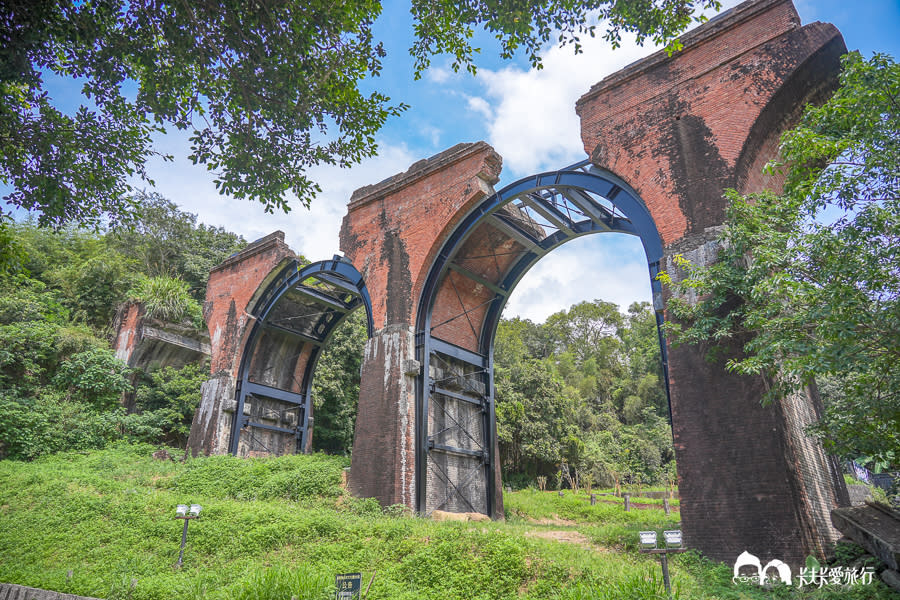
(336, 272)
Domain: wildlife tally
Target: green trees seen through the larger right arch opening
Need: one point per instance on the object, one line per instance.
(583, 391)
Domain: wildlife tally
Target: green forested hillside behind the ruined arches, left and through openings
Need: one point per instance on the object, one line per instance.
(580, 398)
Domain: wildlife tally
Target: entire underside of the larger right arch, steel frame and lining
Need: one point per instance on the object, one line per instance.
(464, 294)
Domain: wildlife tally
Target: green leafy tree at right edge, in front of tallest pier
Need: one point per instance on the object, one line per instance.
(811, 278)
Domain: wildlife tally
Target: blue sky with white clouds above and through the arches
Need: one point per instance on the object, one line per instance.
(529, 118)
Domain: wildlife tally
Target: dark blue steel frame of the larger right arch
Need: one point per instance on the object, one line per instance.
(629, 215)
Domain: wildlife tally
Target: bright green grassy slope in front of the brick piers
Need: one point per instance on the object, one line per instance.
(276, 528)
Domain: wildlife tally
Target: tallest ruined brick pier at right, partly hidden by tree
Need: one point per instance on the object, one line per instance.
(680, 130)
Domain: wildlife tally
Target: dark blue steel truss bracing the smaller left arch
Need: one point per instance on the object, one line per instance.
(331, 290)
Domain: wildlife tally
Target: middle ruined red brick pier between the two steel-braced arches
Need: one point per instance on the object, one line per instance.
(391, 234)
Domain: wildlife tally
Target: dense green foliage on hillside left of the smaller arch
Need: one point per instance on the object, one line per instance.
(61, 382)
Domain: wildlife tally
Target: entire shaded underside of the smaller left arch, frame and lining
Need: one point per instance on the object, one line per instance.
(295, 315)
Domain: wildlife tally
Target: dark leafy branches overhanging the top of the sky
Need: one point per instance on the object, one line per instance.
(266, 89)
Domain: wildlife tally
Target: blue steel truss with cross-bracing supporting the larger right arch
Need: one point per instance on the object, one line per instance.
(540, 212)
